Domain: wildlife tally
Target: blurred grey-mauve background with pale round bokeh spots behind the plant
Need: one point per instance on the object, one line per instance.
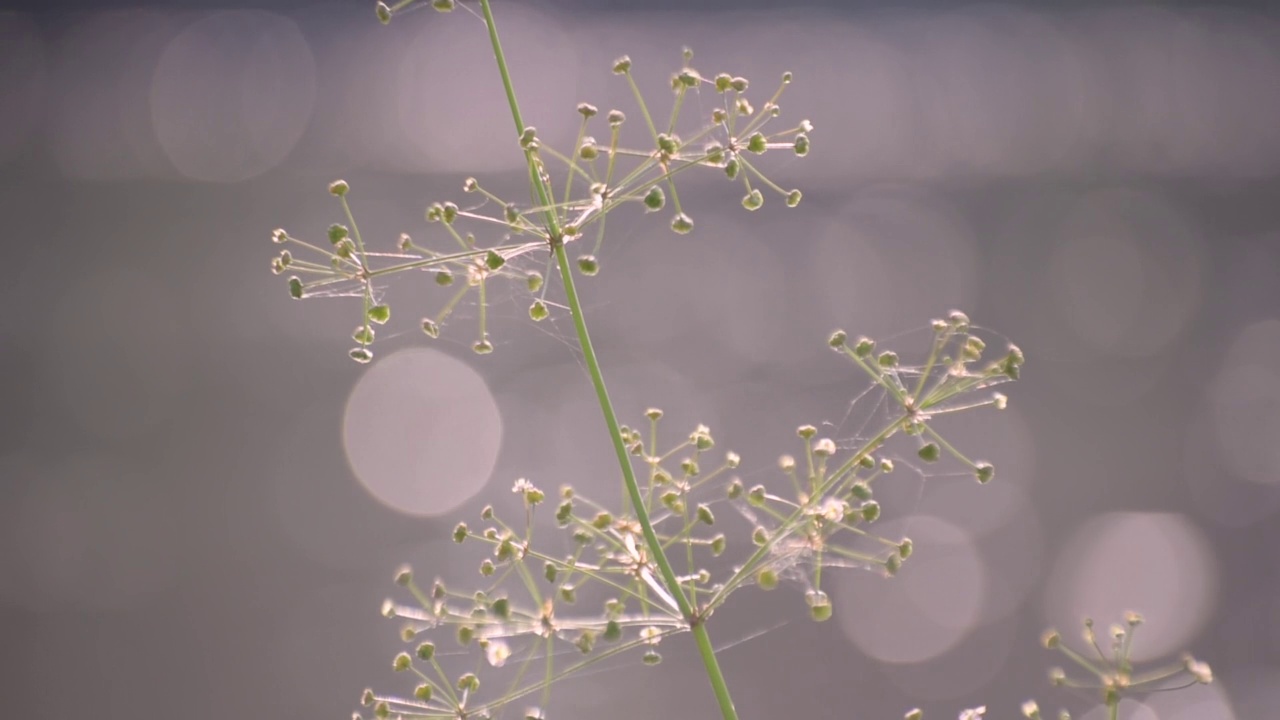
(204, 499)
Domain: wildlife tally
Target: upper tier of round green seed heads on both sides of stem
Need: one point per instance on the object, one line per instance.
(600, 176)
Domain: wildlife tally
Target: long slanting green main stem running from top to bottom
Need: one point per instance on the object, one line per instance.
(557, 244)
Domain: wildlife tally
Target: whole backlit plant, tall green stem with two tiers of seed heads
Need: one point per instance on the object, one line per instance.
(577, 581)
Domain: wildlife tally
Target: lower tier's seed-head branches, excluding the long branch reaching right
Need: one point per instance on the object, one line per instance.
(524, 640)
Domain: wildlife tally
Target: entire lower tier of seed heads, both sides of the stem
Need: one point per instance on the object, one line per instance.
(822, 523)
